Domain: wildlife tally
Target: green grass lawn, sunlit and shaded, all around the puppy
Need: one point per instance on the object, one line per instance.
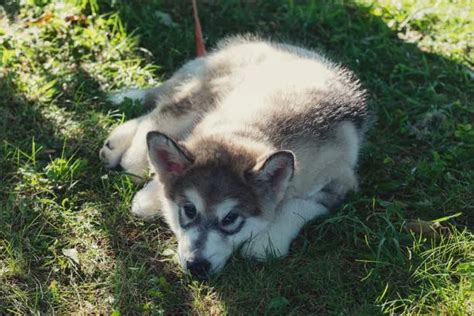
(69, 245)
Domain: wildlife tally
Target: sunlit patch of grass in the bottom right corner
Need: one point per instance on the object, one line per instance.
(443, 279)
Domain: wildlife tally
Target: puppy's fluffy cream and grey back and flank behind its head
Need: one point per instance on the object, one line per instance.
(289, 98)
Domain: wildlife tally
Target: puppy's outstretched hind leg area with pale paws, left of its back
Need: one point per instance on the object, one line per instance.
(176, 109)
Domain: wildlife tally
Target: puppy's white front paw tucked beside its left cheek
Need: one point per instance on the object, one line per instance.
(146, 203)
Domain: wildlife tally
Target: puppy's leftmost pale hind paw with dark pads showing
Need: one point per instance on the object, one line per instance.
(117, 143)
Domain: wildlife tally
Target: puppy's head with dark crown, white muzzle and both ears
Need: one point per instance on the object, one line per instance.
(216, 196)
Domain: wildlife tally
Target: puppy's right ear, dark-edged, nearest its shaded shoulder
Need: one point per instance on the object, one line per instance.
(275, 172)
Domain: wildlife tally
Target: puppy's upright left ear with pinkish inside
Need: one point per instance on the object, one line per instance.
(167, 157)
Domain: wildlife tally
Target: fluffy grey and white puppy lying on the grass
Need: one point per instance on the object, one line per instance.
(247, 144)
